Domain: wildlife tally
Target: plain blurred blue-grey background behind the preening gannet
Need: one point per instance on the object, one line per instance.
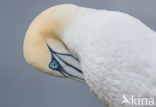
(23, 86)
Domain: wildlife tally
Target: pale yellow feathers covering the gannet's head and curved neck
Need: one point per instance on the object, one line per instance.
(48, 27)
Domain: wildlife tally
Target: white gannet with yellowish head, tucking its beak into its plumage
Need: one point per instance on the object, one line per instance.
(112, 52)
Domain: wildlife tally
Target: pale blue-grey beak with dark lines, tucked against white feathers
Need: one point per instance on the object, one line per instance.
(69, 66)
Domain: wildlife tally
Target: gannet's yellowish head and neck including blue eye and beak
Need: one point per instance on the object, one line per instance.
(44, 48)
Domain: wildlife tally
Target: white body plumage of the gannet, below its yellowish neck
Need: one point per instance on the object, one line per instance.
(117, 54)
